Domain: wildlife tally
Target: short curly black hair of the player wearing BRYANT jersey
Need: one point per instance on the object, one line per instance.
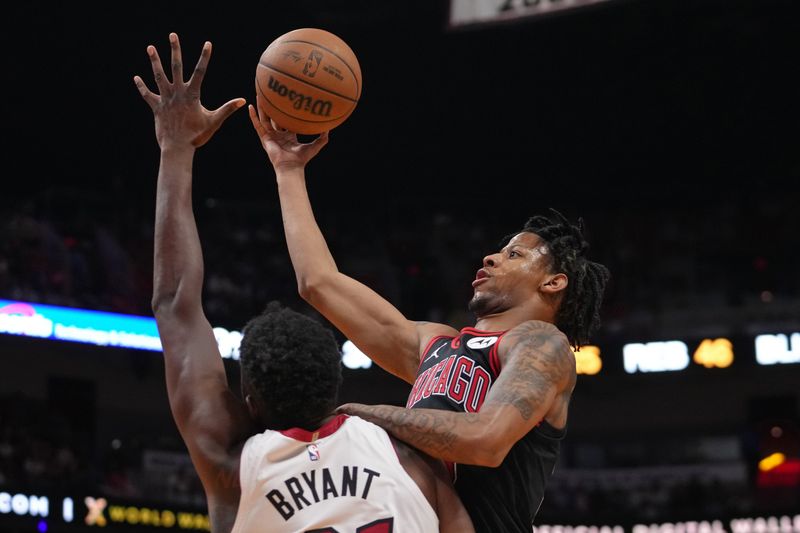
(293, 363)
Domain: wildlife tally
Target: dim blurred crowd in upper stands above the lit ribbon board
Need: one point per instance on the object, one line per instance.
(672, 268)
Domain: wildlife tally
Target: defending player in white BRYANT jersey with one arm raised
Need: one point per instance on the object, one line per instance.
(280, 458)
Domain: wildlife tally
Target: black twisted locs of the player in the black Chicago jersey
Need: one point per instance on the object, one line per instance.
(579, 313)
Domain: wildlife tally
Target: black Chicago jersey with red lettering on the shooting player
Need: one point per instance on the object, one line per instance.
(455, 374)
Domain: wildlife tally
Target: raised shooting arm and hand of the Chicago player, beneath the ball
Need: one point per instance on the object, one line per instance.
(367, 319)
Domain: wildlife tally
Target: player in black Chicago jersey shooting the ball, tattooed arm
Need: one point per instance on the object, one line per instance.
(492, 398)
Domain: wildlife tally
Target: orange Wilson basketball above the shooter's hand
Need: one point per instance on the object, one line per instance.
(308, 81)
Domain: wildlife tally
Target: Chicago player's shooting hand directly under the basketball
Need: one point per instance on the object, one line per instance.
(282, 147)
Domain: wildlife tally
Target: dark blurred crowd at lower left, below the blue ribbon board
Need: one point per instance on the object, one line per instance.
(43, 450)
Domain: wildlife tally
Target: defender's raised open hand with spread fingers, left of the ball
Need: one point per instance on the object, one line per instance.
(181, 120)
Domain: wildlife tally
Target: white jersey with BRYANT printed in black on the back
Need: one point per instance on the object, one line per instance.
(343, 478)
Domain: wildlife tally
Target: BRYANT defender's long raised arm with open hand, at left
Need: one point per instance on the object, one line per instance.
(210, 418)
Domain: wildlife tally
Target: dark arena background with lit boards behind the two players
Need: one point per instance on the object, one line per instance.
(670, 127)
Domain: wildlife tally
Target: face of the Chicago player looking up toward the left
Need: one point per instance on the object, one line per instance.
(511, 276)
